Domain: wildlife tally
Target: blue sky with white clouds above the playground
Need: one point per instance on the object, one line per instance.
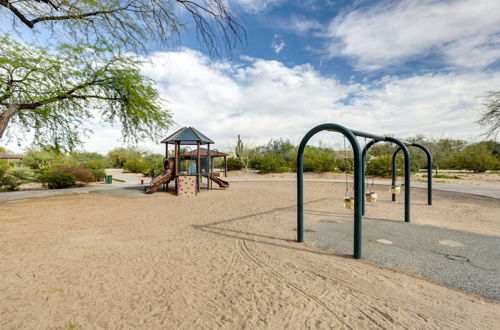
(400, 67)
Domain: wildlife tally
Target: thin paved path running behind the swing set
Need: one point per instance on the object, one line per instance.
(487, 191)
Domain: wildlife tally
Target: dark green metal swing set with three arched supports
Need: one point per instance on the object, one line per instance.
(358, 204)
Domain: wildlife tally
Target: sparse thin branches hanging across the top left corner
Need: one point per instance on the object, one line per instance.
(128, 23)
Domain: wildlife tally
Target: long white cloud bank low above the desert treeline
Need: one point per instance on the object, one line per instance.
(262, 99)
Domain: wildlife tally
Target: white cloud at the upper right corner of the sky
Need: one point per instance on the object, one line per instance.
(463, 33)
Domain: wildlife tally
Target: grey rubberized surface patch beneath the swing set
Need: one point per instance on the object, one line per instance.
(467, 261)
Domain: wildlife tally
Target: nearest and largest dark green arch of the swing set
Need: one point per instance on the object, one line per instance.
(357, 183)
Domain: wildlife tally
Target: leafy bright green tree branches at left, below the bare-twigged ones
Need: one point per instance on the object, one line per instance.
(53, 94)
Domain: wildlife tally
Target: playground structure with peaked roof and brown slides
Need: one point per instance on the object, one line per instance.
(197, 163)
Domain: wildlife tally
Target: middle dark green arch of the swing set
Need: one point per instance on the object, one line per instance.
(407, 171)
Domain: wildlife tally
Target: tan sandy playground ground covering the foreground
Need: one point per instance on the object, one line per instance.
(225, 259)
